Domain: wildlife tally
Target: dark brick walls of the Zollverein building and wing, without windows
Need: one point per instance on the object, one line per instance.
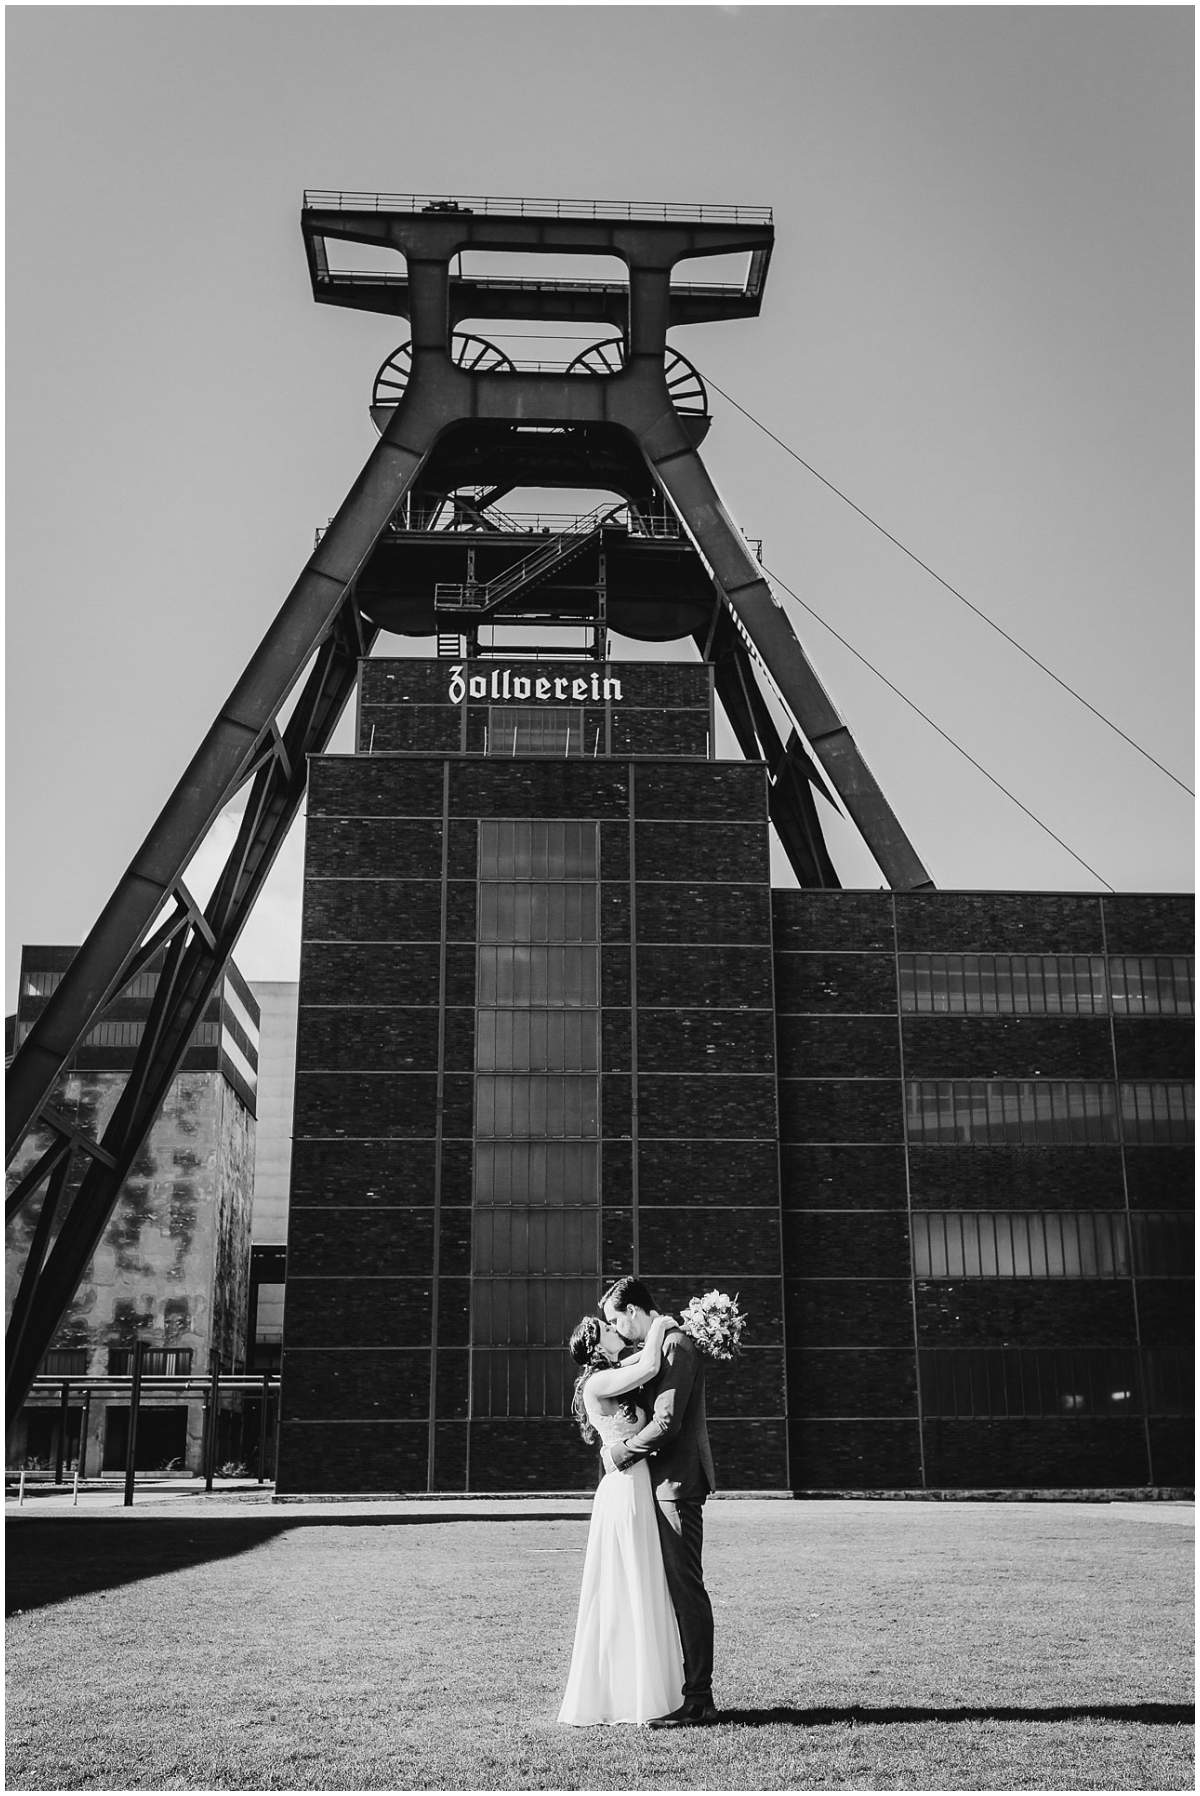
(757, 1075)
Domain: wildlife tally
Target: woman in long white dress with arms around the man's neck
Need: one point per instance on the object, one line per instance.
(628, 1664)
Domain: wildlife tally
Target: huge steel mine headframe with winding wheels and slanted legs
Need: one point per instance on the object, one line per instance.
(425, 547)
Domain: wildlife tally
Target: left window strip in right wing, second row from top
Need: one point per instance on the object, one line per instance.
(1010, 1111)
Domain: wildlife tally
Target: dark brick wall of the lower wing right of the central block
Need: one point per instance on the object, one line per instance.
(908, 1380)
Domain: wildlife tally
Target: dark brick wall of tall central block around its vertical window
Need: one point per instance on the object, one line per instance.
(378, 1334)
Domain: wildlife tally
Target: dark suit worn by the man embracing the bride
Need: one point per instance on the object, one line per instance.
(675, 1441)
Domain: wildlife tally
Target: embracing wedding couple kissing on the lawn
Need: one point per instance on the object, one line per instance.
(644, 1637)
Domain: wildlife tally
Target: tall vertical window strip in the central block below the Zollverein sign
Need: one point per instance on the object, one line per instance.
(536, 1220)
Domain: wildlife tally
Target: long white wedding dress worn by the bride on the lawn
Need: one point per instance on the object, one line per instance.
(628, 1664)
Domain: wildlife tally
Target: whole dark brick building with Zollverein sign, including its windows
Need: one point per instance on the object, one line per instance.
(556, 1026)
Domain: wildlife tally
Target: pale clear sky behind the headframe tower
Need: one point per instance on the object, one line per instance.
(978, 326)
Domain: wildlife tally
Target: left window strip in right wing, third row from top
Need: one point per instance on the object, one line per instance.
(1021, 1246)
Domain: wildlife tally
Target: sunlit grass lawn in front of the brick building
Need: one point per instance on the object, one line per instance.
(860, 1646)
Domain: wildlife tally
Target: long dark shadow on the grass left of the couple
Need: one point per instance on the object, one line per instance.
(57, 1558)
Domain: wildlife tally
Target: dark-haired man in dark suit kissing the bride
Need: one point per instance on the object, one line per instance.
(682, 1470)
